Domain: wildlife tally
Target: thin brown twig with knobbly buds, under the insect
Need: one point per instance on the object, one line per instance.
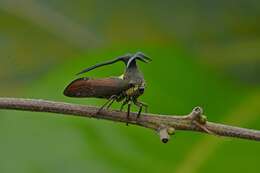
(164, 125)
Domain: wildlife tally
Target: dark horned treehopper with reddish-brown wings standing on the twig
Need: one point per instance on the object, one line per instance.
(126, 88)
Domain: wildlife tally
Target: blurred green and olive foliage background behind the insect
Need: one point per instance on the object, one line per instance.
(204, 53)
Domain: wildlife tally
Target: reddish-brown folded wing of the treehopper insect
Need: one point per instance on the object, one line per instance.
(99, 88)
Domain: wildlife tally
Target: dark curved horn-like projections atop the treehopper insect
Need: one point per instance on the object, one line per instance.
(128, 59)
